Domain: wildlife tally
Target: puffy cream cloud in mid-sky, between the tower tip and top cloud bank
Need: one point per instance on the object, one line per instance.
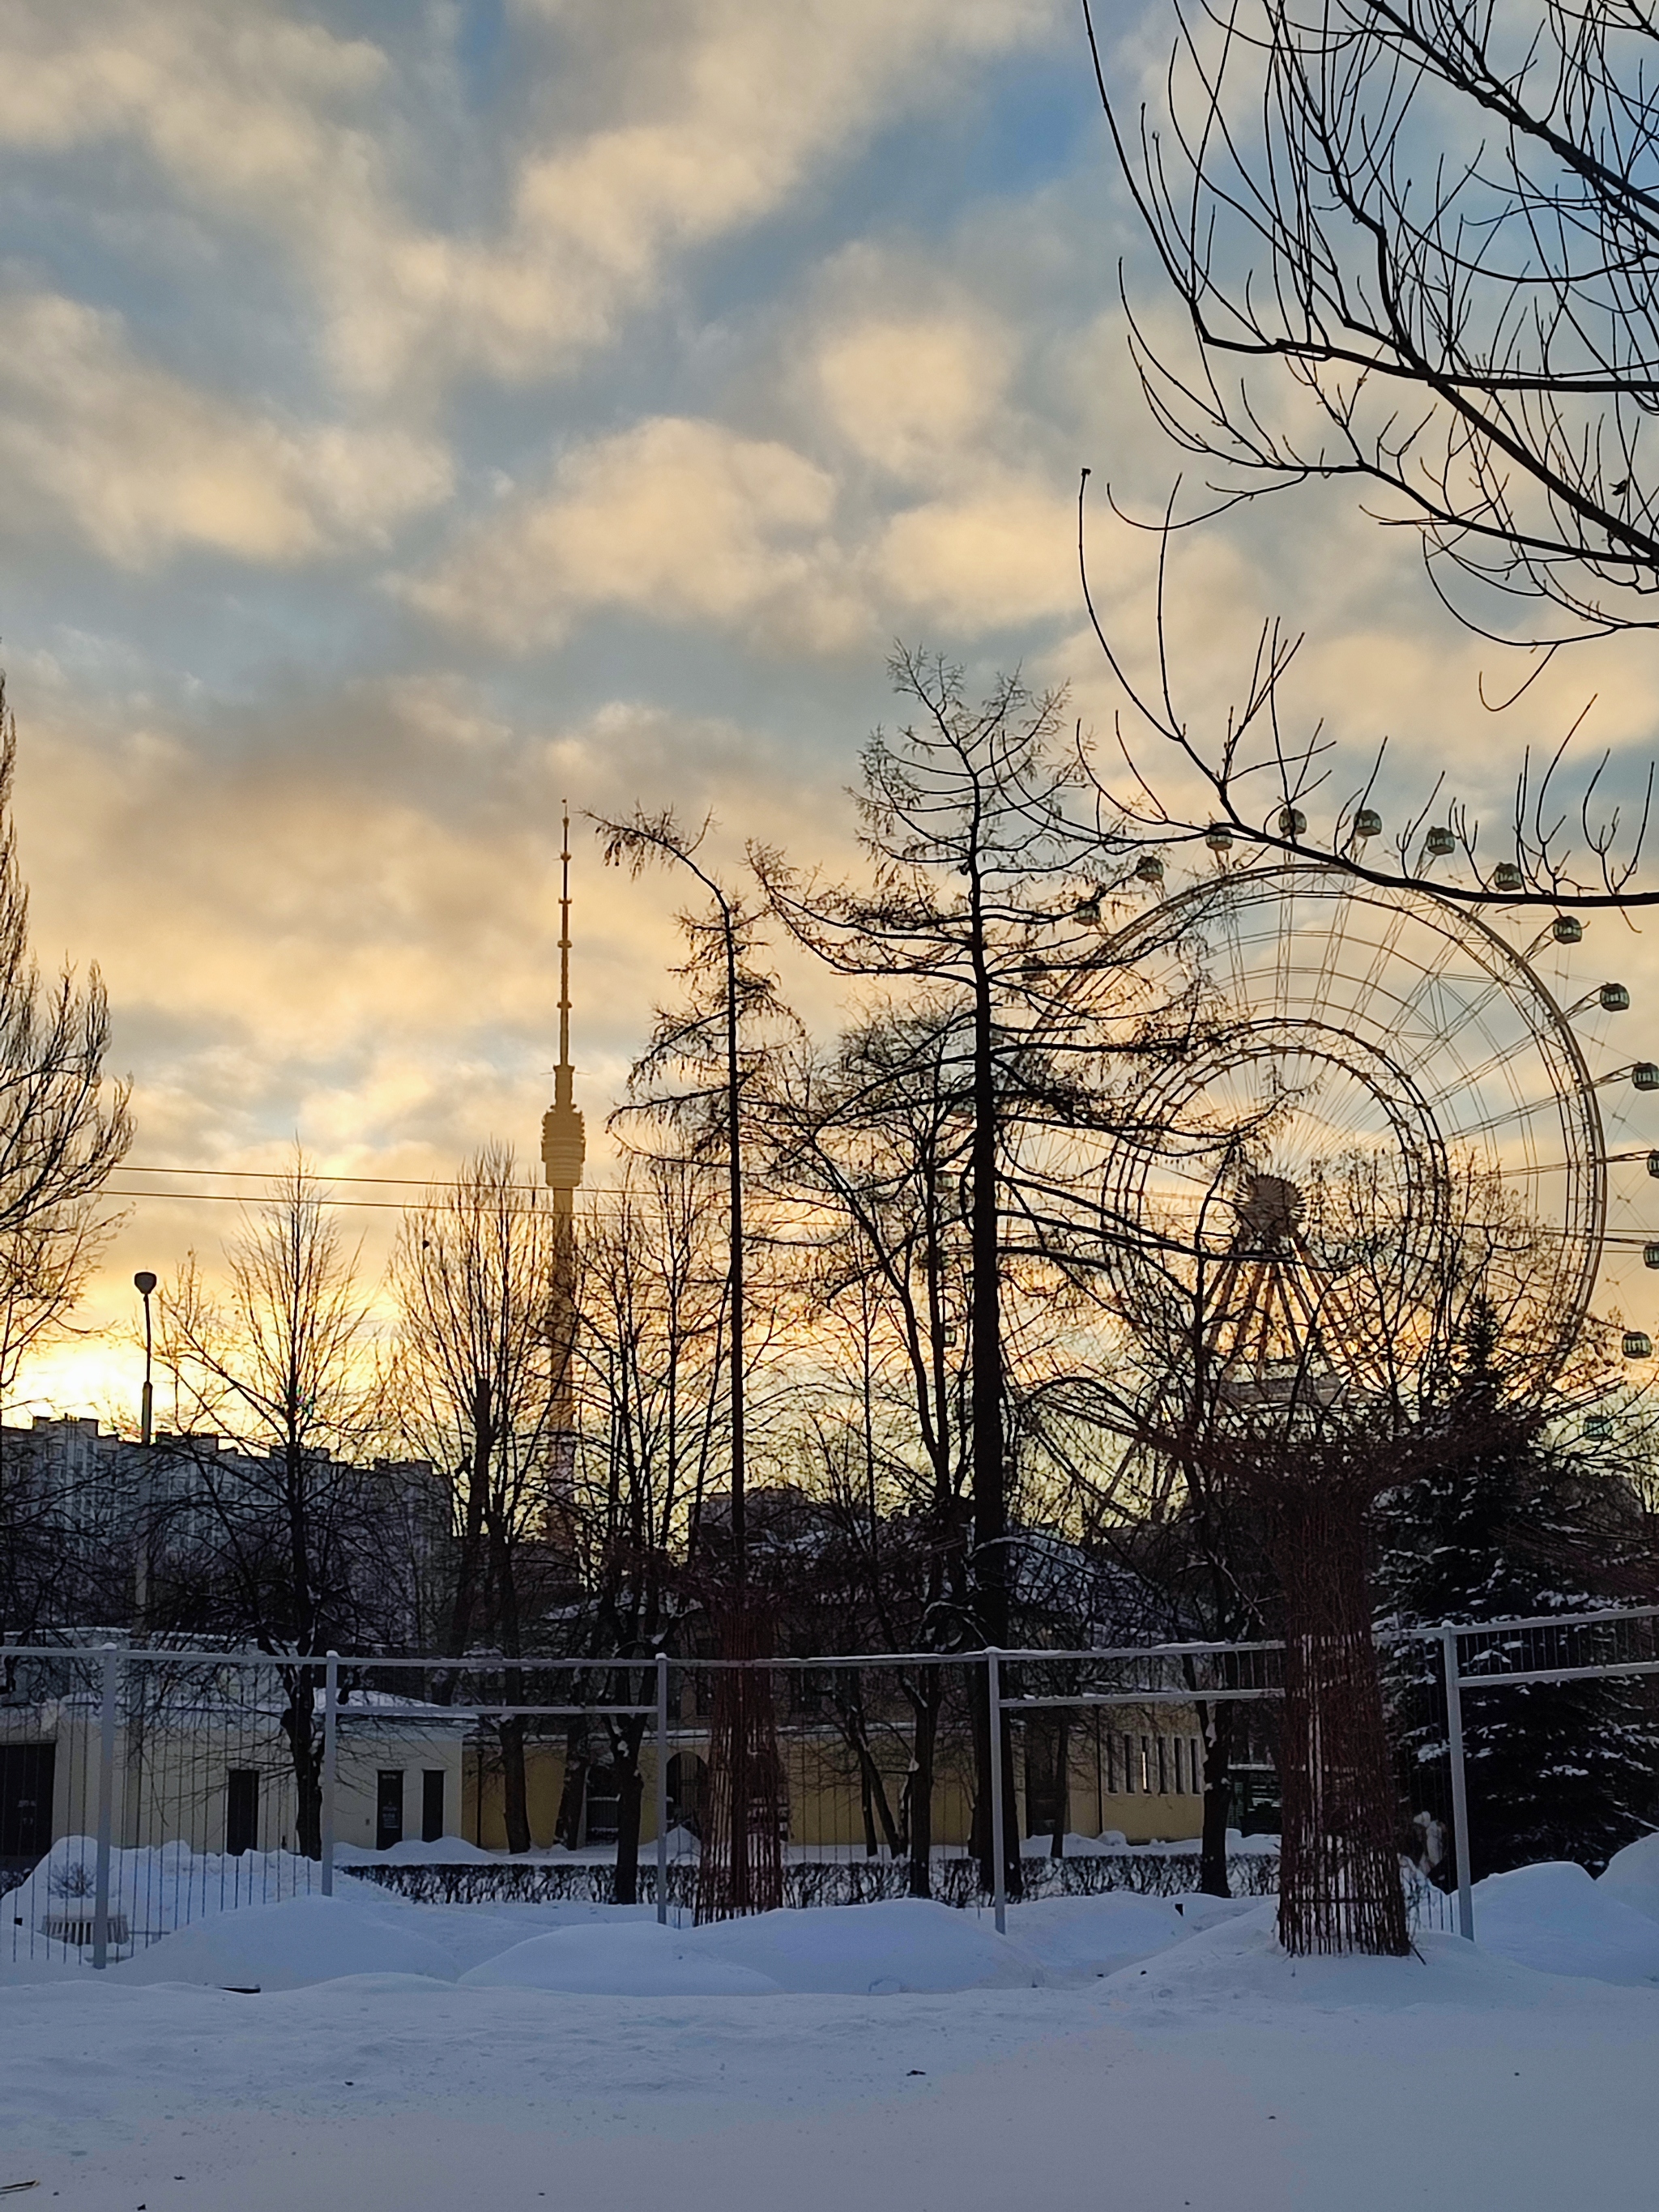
(676, 519)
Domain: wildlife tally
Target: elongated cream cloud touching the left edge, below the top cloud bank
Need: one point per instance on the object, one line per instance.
(138, 461)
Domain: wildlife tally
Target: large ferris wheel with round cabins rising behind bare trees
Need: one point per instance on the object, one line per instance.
(1353, 1085)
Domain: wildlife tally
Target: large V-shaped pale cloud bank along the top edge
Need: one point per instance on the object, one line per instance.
(709, 121)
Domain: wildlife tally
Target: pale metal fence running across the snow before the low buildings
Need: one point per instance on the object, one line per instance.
(152, 1788)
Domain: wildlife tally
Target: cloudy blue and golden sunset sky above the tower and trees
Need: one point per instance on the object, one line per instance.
(415, 417)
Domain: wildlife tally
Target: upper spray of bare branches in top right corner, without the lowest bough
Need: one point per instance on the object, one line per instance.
(1437, 227)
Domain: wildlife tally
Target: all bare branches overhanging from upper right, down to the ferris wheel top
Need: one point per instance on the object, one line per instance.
(1415, 249)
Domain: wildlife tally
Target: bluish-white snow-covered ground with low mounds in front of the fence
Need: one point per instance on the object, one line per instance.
(1109, 2054)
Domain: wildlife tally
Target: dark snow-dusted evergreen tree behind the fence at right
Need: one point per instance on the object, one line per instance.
(1503, 1521)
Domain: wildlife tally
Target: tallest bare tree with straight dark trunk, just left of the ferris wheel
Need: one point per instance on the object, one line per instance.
(983, 921)
